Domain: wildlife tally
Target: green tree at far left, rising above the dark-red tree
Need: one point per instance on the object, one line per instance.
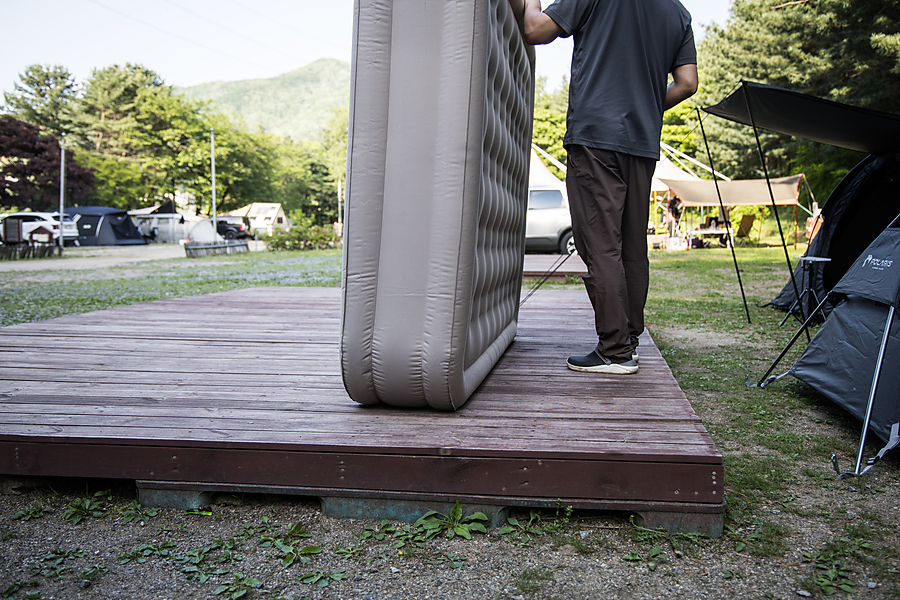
(45, 96)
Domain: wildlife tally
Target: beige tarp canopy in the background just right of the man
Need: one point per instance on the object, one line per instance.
(736, 193)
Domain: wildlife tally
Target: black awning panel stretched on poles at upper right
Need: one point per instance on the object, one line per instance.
(800, 115)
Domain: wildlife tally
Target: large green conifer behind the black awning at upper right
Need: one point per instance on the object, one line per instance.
(842, 50)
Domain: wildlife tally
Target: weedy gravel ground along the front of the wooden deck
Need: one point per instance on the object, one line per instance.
(580, 556)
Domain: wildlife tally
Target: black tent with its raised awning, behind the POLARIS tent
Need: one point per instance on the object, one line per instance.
(861, 206)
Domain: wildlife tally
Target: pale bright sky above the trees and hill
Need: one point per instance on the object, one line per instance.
(189, 42)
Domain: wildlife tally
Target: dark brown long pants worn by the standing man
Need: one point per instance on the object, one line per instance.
(609, 199)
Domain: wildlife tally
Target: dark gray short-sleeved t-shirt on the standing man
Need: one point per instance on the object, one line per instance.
(624, 51)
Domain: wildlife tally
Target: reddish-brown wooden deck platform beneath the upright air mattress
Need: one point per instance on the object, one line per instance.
(242, 390)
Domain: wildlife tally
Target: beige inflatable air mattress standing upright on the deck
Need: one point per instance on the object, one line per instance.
(438, 156)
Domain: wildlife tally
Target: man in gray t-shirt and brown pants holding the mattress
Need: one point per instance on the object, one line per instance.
(624, 52)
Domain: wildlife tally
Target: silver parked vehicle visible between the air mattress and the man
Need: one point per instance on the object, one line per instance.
(548, 225)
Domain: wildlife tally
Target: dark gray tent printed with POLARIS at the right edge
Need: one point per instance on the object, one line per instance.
(844, 360)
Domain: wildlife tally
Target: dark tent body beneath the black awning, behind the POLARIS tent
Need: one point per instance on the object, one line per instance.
(857, 211)
